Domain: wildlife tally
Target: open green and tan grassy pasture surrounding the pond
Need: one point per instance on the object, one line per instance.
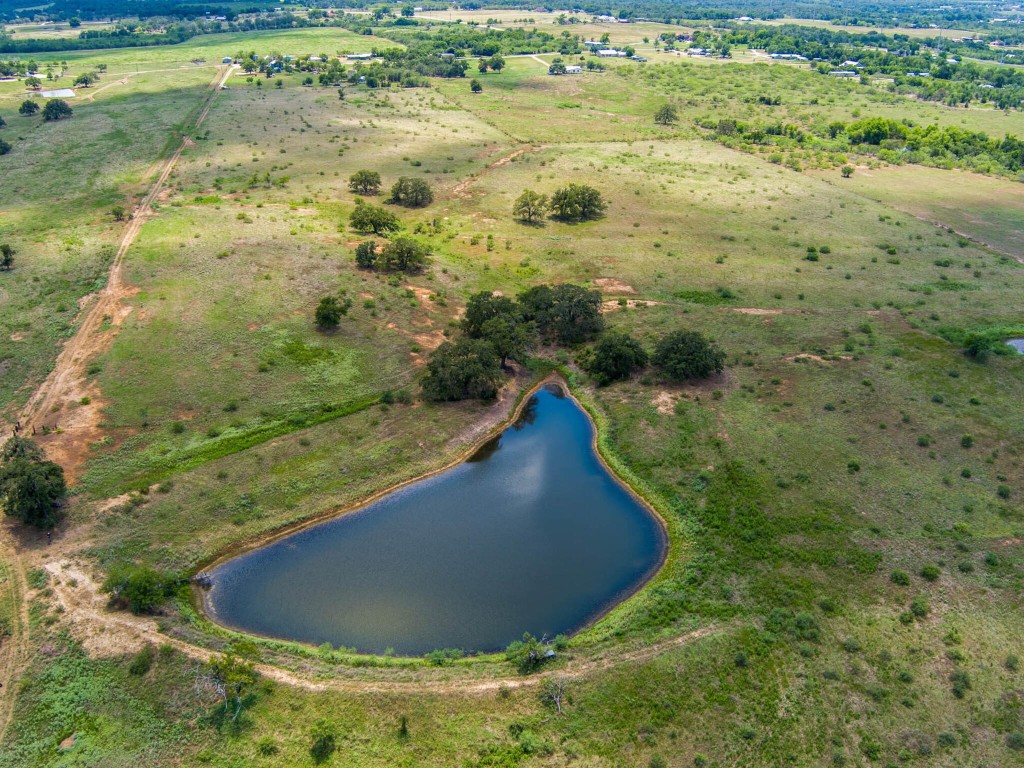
(829, 456)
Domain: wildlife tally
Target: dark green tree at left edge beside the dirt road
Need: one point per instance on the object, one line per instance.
(32, 489)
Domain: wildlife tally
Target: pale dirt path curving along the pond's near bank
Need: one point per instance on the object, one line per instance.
(105, 632)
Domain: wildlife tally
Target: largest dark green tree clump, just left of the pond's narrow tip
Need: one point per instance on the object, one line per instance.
(497, 329)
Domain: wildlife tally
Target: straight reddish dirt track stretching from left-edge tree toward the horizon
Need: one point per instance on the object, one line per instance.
(68, 382)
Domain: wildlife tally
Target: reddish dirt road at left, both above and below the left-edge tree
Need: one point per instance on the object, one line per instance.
(67, 378)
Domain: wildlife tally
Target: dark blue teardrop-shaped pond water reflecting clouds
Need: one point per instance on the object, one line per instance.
(531, 535)
